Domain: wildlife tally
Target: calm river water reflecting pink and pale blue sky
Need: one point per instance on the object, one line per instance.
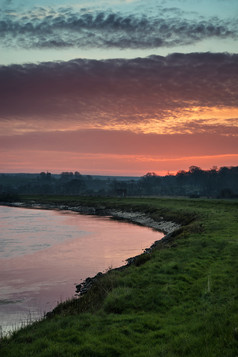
(44, 254)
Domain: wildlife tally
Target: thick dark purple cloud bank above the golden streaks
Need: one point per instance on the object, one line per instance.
(119, 90)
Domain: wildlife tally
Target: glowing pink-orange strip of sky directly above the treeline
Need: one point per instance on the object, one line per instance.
(107, 164)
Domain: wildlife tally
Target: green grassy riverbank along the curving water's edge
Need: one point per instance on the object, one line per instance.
(182, 300)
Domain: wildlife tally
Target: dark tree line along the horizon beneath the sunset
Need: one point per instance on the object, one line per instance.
(195, 182)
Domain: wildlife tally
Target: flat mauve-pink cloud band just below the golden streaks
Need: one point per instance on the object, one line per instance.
(110, 142)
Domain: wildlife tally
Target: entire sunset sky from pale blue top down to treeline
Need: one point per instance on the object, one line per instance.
(120, 87)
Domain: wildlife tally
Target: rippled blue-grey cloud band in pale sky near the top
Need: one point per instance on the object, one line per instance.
(65, 28)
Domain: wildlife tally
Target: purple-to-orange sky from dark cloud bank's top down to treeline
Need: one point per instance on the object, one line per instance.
(120, 117)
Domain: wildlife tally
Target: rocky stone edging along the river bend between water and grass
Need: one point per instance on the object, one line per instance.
(167, 227)
